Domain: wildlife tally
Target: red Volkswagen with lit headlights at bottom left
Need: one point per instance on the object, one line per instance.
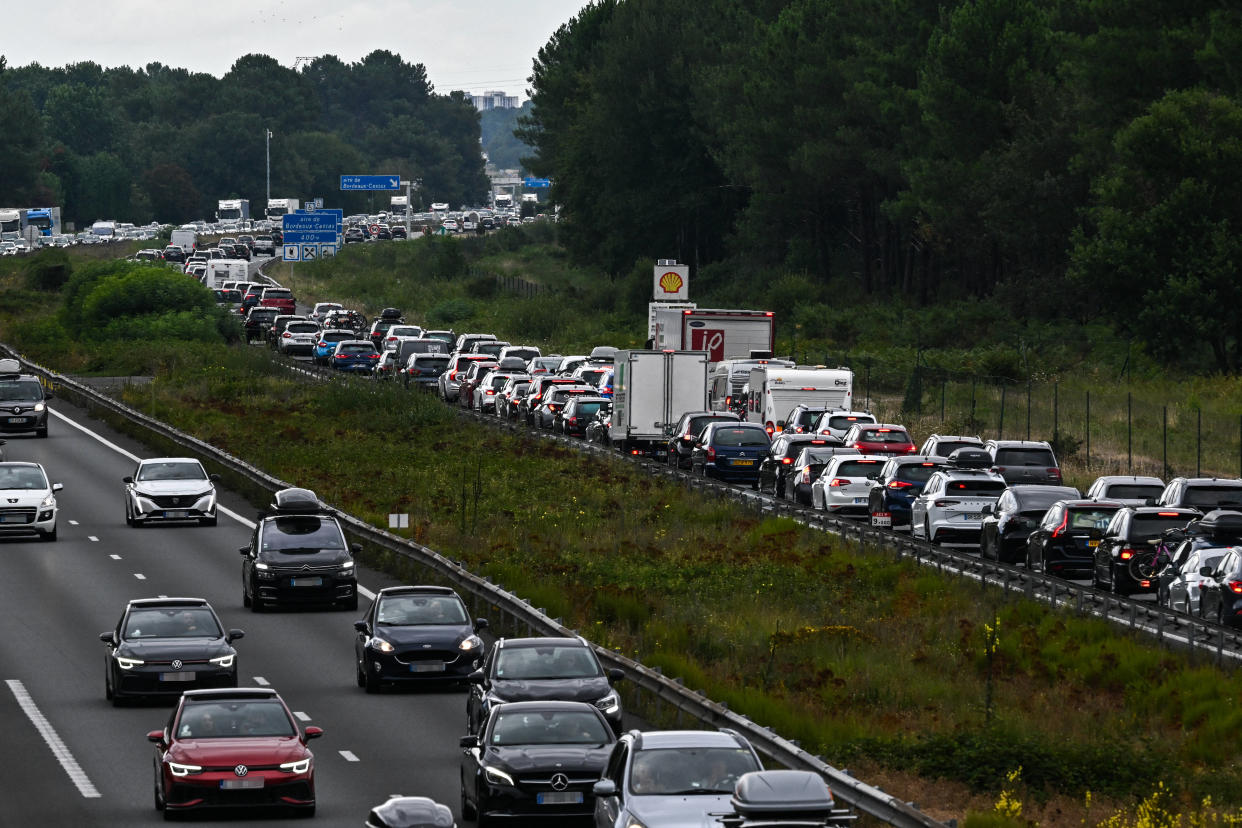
(233, 749)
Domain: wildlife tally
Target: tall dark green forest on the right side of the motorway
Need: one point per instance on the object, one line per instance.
(1081, 160)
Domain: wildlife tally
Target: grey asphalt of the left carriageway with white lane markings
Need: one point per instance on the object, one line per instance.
(71, 759)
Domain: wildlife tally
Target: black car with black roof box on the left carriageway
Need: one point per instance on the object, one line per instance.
(299, 557)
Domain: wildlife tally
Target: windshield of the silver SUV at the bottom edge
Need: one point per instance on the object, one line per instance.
(680, 772)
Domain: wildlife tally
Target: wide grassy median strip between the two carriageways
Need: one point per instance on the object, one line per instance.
(948, 692)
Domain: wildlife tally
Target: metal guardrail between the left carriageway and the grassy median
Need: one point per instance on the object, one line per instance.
(519, 614)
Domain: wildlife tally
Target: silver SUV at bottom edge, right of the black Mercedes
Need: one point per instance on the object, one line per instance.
(673, 778)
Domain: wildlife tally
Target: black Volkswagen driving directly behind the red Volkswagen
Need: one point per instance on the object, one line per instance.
(163, 647)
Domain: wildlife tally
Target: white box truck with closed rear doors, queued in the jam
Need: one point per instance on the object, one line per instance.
(651, 390)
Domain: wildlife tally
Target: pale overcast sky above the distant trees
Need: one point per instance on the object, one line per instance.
(471, 45)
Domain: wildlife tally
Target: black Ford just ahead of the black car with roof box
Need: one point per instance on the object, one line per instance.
(415, 635)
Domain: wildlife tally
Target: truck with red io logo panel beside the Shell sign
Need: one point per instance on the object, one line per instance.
(723, 335)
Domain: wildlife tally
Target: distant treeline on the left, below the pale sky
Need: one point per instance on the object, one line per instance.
(166, 145)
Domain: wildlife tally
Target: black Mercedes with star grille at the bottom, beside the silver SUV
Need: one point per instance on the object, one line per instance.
(535, 759)
